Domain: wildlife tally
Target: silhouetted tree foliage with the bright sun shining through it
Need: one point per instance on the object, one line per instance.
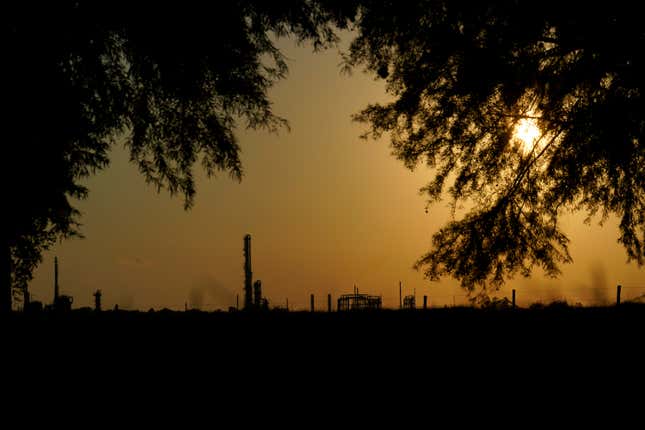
(464, 74)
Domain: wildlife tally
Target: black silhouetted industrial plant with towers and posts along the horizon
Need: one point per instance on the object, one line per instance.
(354, 306)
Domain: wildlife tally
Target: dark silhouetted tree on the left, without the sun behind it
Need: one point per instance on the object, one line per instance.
(173, 79)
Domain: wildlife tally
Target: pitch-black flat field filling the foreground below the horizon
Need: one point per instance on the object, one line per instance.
(456, 356)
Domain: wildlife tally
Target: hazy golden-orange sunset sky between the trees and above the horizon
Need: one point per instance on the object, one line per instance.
(325, 209)
